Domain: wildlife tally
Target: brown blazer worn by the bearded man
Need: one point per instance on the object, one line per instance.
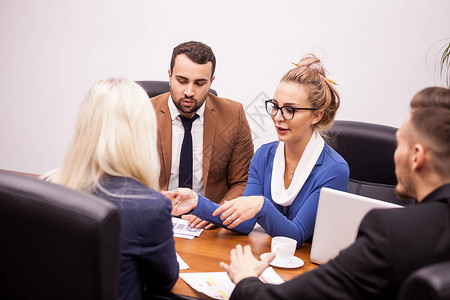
(227, 146)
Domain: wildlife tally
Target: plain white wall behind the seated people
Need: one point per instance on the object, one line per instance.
(380, 52)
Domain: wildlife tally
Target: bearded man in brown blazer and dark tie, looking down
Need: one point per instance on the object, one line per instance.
(221, 142)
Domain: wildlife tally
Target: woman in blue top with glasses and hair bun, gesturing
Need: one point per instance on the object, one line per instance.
(285, 176)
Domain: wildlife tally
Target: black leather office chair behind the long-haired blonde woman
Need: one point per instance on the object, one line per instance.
(56, 243)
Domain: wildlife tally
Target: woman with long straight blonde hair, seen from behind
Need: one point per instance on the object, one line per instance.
(113, 155)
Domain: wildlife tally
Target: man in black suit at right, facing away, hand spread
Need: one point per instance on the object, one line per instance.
(391, 244)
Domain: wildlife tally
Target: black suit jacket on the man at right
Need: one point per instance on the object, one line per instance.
(391, 244)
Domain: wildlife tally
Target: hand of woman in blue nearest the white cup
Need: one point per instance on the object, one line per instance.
(238, 210)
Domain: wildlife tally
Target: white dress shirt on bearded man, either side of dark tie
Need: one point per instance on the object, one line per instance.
(197, 148)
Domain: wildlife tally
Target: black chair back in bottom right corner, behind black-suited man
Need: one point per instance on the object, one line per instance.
(430, 282)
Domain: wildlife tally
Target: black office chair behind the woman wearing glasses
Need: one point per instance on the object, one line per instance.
(369, 152)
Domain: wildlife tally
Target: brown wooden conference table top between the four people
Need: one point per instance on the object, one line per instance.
(204, 253)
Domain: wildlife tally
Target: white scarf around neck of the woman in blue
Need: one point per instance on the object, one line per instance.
(307, 162)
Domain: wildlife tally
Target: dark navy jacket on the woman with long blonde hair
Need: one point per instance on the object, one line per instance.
(148, 248)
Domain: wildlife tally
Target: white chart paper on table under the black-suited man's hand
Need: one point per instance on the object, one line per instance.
(218, 285)
